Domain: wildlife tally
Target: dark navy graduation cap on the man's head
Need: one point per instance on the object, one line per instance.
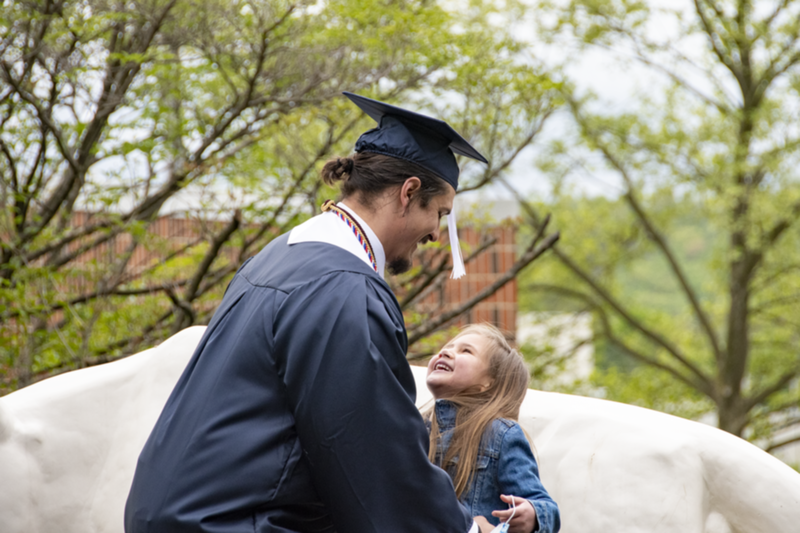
(426, 141)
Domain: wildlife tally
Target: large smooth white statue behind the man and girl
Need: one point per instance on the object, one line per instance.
(69, 444)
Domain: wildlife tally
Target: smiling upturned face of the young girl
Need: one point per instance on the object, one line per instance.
(460, 365)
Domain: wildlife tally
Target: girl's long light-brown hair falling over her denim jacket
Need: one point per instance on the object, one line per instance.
(477, 409)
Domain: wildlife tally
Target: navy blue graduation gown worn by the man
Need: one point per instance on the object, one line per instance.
(296, 412)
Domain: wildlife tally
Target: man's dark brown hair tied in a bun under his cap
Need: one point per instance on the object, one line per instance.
(368, 175)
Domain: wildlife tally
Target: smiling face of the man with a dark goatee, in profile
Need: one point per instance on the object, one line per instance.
(418, 225)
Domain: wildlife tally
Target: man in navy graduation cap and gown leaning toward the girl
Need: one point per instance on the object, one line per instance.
(296, 412)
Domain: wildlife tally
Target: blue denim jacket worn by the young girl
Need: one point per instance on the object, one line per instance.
(505, 466)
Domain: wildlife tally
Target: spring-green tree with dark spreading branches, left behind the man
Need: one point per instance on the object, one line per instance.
(113, 114)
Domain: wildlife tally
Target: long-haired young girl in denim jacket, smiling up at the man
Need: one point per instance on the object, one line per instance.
(479, 383)
